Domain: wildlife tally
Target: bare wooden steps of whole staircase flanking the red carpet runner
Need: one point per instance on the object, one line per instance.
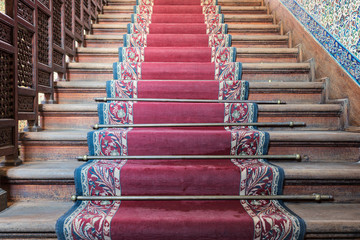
(40, 189)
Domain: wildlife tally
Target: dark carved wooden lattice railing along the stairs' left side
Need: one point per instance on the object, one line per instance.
(37, 37)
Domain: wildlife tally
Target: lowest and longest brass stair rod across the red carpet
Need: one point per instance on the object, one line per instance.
(310, 197)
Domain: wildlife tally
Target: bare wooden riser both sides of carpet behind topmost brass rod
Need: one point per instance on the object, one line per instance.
(86, 96)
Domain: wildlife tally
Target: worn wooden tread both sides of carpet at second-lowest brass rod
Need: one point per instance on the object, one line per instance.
(64, 170)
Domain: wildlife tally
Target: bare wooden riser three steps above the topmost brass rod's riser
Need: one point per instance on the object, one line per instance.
(242, 44)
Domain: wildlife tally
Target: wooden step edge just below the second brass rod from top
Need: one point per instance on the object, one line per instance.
(279, 136)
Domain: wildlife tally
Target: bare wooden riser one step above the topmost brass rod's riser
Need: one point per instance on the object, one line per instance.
(287, 76)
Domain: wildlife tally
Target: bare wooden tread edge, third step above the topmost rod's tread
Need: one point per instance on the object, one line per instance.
(238, 50)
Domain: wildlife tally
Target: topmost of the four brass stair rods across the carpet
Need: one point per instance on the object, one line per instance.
(104, 99)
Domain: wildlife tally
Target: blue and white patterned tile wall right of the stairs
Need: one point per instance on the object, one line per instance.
(336, 25)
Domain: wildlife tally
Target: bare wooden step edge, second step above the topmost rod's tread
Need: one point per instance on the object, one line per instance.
(246, 66)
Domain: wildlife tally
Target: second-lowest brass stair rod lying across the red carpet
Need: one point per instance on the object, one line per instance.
(175, 157)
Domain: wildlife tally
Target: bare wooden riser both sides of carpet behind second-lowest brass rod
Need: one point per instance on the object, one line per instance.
(311, 151)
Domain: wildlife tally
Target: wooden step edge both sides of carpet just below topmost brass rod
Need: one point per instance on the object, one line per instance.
(307, 108)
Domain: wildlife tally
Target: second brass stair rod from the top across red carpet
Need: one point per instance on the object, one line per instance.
(270, 124)
